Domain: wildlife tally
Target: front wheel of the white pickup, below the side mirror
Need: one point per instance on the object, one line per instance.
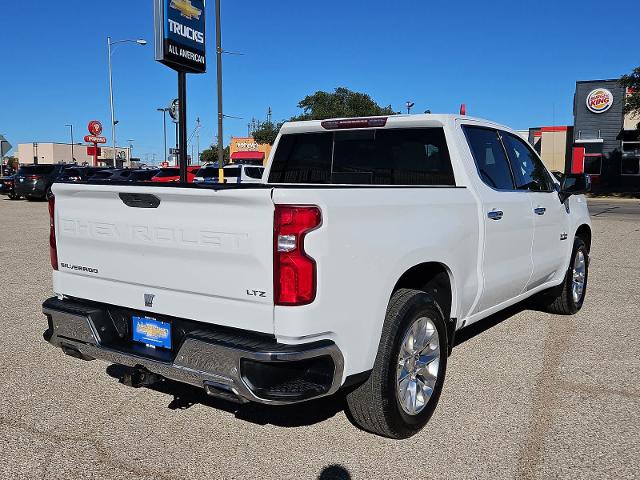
(569, 297)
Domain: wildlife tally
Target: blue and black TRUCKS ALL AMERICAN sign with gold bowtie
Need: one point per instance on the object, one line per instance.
(180, 34)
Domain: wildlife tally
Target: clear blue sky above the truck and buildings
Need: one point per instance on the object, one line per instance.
(513, 62)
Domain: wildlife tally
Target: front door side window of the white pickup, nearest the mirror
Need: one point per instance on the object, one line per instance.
(528, 170)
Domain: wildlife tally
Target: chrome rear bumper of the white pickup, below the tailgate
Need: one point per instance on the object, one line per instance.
(230, 366)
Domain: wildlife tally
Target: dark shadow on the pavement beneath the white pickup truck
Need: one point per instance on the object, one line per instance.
(308, 413)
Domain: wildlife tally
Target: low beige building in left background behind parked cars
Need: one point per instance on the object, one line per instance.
(52, 153)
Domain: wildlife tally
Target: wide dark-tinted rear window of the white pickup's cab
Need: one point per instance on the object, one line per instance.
(417, 156)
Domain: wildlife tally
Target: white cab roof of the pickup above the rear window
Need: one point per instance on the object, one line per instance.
(392, 121)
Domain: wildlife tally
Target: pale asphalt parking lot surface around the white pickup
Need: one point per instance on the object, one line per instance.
(528, 395)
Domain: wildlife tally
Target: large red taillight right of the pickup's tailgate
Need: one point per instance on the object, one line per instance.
(294, 271)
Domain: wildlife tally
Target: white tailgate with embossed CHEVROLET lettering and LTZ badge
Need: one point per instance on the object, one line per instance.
(201, 254)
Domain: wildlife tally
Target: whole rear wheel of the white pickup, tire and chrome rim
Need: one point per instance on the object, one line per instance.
(400, 395)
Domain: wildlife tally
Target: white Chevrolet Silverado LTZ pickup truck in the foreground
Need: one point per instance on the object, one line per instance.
(370, 242)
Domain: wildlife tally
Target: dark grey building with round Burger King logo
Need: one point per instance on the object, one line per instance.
(606, 142)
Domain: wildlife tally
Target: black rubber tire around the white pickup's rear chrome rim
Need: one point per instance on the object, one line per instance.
(374, 405)
